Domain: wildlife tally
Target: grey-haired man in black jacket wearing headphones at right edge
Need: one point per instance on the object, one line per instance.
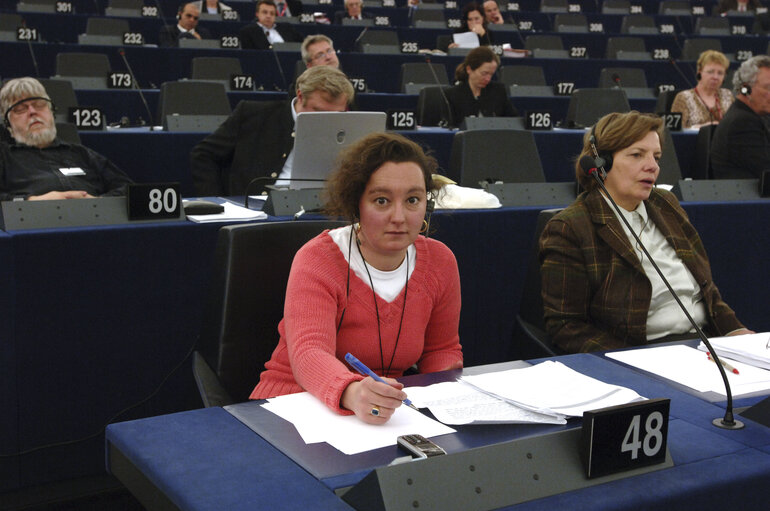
(740, 148)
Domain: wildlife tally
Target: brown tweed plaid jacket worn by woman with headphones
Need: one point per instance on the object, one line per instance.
(595, 292)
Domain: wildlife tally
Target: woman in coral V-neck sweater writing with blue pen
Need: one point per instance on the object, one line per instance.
(375, 288)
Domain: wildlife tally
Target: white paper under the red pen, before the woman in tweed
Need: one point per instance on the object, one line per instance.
(692, 368)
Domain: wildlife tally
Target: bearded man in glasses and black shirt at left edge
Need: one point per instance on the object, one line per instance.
(36, 165)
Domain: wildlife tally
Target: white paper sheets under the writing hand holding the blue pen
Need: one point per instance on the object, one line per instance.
(346, 433)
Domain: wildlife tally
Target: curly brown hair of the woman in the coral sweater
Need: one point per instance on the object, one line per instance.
(358, 162)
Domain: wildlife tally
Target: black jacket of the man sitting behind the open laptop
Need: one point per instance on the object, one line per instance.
(253, 142)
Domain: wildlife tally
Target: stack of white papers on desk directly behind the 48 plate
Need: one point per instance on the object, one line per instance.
(545, 393)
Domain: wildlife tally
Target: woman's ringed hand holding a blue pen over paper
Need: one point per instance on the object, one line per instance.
(370, 401)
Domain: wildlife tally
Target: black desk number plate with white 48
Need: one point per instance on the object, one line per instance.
(624, 437)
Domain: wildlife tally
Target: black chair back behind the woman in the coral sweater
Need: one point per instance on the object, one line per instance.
(240, 329)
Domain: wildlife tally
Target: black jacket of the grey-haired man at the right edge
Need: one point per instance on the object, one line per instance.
(740, 148)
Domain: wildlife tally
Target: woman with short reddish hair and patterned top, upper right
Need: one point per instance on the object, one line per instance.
(707, 102)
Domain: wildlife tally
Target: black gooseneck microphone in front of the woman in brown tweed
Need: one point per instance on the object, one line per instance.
(589, 166)
